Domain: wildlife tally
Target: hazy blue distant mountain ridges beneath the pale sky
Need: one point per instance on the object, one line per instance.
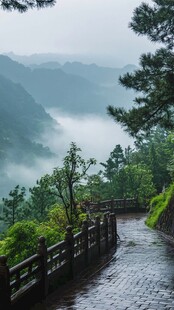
(75, 88)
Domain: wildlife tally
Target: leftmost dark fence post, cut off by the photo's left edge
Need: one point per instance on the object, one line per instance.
(5, 298)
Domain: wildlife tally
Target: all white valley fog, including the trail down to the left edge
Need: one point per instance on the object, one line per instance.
(95, 135)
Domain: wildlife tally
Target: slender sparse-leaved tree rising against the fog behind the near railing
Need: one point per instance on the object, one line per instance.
(64, 180)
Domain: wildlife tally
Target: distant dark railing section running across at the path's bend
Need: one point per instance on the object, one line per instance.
(117, 206)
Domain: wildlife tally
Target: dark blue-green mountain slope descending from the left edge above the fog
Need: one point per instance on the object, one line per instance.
(22, 121)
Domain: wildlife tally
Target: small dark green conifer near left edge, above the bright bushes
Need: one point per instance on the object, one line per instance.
(14, 205)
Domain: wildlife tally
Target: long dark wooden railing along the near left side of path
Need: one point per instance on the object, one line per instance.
(32, 280)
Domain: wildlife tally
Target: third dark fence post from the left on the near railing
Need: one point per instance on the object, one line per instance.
(69, 238)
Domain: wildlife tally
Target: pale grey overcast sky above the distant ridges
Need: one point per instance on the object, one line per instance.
(98, 28)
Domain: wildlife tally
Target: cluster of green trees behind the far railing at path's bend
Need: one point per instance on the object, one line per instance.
(128, 177)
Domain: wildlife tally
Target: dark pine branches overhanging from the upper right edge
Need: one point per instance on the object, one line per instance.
(154, 80)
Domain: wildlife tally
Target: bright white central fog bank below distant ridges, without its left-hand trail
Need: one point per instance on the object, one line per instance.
(95, 135)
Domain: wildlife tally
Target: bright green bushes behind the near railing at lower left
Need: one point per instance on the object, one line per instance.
(21, 240)
